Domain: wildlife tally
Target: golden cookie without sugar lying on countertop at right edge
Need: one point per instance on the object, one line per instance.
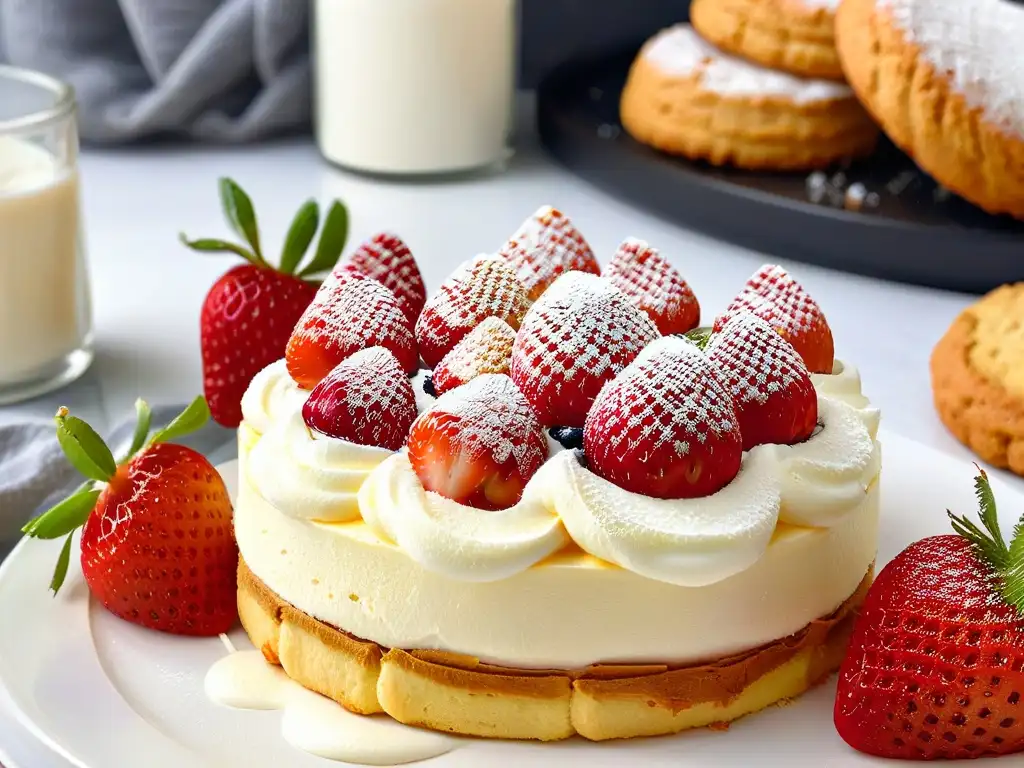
(978, 378)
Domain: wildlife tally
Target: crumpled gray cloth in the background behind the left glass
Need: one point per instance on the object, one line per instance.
(210, 70)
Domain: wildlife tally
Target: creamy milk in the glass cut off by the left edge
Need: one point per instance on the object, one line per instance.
(42, 319)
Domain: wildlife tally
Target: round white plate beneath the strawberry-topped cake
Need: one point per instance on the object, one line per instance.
(100, 693)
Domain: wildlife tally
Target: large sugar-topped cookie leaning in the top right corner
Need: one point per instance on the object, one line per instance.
(946, 82)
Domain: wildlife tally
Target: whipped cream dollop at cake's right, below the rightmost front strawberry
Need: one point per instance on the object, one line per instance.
(829, 475)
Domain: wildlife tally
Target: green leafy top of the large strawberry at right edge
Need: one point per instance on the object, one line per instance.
(1008, 563)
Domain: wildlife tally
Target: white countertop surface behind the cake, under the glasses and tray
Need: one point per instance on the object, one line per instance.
(148, 289)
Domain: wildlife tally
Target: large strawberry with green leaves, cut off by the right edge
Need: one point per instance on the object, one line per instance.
(935, 667)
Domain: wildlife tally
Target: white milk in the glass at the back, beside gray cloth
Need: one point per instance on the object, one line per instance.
(414, 87)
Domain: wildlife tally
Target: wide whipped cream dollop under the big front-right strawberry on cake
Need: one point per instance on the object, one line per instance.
(687, 542)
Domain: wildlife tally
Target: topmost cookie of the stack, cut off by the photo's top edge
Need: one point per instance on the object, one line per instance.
(795, 36)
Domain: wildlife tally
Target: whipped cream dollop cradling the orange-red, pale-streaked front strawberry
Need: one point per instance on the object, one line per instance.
(454, 540)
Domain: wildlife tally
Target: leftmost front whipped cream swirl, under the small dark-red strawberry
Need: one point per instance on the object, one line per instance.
(309, 476)
